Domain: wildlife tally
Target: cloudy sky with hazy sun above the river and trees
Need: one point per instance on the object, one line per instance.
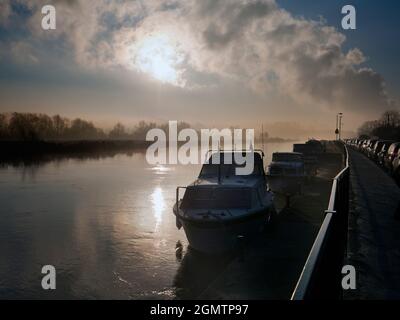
(287, 64)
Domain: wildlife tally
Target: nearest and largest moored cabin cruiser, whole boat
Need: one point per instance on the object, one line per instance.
(221, 207)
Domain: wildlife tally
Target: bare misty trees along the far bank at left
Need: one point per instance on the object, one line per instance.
(41, 127)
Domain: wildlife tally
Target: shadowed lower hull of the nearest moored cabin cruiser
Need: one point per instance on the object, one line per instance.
(220, 237)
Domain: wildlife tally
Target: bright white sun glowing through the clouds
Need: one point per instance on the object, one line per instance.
(158, 57)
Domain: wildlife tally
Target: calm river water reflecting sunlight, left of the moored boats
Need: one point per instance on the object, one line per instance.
(106, 225)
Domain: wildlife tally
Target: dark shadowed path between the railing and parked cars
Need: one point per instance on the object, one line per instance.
(374, 231)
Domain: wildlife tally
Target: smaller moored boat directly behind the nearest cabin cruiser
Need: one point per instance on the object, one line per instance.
(286, 173)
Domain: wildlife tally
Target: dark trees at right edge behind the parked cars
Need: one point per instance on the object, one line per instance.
(386, 127)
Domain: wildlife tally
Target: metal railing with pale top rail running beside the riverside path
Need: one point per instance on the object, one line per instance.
(321, 275)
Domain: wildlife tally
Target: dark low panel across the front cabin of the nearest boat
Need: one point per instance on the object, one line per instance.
(217, 198)
